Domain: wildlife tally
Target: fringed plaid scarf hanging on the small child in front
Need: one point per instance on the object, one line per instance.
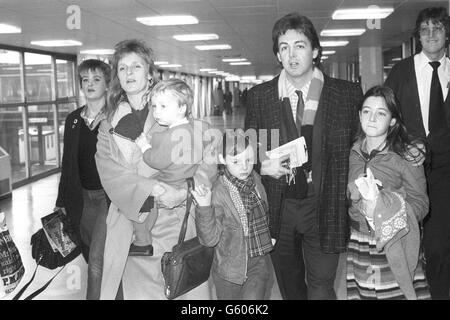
(252, 211)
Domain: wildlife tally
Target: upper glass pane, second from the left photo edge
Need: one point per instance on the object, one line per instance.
(38, 75)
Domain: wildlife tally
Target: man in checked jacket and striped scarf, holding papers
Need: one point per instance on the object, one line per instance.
(308, 219)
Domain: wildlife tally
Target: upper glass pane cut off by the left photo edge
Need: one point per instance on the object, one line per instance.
(10, 84)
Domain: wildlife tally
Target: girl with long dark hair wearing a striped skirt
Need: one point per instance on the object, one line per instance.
(388, 195)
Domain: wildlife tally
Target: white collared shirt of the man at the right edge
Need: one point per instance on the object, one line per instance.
(424, 73)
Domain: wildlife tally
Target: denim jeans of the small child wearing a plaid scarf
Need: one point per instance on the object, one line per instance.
(256, 286)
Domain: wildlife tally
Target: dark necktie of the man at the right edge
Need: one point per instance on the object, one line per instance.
(436, 117)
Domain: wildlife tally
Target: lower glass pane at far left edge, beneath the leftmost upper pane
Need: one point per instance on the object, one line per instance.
(12, 140)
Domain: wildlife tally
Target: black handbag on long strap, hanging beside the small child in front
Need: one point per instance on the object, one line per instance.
(189, 263)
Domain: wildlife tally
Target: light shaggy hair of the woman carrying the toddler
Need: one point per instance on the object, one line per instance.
(123, 48)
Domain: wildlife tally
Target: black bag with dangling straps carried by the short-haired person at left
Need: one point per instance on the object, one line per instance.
(44, 255)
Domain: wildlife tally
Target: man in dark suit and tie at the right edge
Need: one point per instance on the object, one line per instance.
(411, 80)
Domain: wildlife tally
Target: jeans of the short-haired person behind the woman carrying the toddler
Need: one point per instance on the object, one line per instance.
(93, 234)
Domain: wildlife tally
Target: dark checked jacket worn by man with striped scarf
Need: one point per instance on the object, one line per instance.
(335, 126)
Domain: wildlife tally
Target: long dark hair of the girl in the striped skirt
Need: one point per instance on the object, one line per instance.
(398, 139)
